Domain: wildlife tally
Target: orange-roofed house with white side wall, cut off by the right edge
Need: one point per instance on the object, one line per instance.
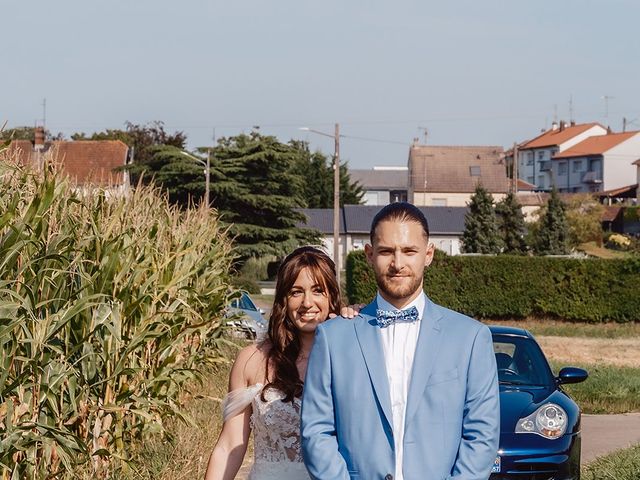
(599, 163)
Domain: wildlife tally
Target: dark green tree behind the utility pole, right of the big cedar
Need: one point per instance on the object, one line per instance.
(317, 169)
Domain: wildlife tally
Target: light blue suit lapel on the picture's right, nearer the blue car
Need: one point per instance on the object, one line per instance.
(427, 347)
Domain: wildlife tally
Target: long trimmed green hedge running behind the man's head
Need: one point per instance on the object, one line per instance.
(589, 290)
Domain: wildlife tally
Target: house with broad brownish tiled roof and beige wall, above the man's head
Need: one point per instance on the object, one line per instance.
(447, 176)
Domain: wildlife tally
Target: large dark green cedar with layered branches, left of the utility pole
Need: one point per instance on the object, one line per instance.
(258, 192)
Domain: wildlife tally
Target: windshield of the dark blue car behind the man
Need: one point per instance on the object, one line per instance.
(520, 361)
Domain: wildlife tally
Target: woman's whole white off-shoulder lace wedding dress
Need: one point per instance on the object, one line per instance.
(276, 432)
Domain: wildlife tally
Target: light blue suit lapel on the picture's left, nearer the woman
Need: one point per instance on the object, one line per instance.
(368, 334)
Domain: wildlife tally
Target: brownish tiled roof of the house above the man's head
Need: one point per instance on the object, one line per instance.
(448, 169)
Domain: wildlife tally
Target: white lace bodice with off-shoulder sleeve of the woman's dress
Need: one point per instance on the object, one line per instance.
(275, 424)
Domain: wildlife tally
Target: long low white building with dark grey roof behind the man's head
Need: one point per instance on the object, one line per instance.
(446, 225)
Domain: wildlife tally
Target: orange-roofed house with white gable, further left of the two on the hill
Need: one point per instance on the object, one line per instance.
(535, 156)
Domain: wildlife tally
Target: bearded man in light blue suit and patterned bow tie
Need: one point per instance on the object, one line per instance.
(408, 389)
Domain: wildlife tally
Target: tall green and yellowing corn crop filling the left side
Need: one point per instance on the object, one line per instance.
(109, 304)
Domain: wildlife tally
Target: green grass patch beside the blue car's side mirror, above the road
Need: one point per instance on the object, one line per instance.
(608, 389)
